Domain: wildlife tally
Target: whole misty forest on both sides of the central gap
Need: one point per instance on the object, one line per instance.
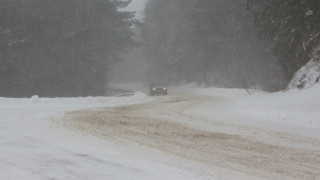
(66, 47)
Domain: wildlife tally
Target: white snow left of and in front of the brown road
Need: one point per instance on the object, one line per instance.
(34, 147)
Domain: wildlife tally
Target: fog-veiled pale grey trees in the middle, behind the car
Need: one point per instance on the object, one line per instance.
(212, 43)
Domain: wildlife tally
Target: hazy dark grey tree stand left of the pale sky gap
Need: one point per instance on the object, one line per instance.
(61, 47)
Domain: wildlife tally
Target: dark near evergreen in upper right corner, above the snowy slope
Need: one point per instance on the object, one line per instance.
(292, 26)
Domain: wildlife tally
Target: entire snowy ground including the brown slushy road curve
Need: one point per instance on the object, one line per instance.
(198, 134)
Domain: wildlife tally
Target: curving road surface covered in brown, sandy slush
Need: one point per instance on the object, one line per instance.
(168, 126)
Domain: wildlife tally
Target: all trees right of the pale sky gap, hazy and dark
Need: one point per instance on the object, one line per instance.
(230, 43)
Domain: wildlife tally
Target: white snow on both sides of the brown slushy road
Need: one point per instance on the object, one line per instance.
(33, 146)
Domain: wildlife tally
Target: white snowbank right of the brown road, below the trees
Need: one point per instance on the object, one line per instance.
(293, 107)
